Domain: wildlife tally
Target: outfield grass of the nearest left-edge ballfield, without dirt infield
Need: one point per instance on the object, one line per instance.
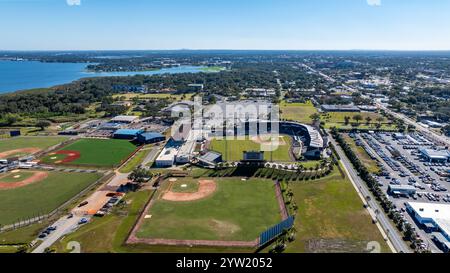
(42, 197)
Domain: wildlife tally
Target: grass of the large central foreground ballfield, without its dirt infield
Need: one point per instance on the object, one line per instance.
(236, 211)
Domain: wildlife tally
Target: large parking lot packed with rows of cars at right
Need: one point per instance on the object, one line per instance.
(404, 167)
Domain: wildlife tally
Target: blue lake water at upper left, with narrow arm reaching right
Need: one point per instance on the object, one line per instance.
(24, 75)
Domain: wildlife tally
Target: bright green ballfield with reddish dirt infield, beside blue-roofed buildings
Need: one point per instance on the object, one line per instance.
(92, 152)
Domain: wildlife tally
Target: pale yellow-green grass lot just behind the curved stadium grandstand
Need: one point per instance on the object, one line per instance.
(299, 112)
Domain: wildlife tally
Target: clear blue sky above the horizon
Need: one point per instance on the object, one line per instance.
(224, 24)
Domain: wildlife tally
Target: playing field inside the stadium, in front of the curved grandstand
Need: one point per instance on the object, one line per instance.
(236, 149)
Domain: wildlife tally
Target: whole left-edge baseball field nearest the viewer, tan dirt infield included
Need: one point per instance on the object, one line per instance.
(26, 194)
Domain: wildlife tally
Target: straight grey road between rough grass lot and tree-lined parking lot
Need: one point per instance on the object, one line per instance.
(394, 237)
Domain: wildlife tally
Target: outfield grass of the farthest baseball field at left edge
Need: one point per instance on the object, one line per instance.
(29, 142)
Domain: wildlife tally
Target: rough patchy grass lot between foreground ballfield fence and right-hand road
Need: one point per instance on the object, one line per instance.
(331, 217)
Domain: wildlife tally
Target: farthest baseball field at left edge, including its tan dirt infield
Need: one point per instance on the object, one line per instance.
(21, 146)
